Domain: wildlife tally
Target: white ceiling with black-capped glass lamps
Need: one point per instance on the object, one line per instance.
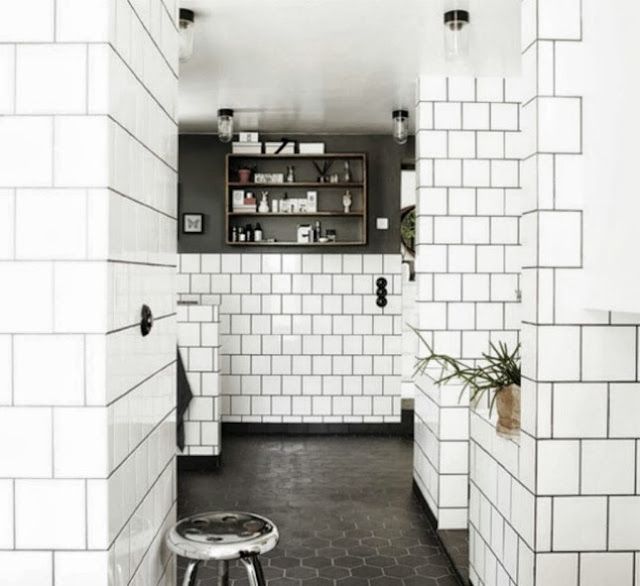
(322, 66)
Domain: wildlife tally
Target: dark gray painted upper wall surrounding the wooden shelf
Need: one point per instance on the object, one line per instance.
(201, 176)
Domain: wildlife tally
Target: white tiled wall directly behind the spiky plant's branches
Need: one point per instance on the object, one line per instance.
(468, 265)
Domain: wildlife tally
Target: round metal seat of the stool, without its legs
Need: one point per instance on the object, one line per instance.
(222, 535)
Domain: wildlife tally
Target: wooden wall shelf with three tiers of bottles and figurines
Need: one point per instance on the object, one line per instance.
(351, 227)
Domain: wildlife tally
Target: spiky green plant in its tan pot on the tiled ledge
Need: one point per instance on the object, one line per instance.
(498, 373)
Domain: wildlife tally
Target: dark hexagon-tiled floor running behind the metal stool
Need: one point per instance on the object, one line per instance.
(344, 507)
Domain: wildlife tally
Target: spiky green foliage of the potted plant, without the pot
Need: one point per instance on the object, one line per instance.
(499, 368)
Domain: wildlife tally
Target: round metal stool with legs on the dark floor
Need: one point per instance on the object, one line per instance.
(223, 536)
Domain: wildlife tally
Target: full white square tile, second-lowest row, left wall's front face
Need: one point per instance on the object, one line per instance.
(58, 504)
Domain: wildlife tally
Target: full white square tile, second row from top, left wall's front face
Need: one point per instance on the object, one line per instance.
(51, 79)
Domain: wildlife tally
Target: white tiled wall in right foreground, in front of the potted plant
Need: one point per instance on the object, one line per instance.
(569, 493)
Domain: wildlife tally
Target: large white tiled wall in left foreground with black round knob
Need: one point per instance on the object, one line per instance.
(87, 235)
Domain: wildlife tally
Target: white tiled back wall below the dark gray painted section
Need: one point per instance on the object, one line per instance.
(302, 339)
